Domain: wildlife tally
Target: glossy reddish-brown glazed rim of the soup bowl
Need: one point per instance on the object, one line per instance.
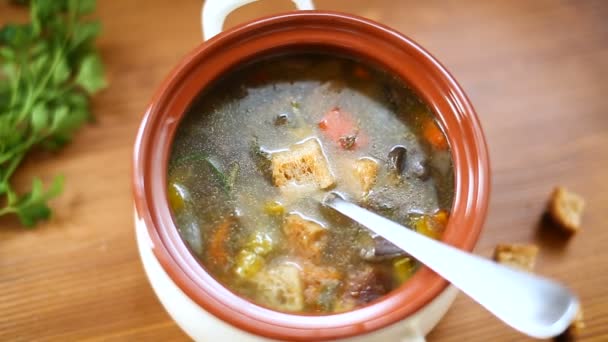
(319, 31)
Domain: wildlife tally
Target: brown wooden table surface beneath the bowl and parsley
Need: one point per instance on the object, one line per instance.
(537, 72)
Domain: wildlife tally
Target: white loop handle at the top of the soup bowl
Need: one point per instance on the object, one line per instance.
(214, 13)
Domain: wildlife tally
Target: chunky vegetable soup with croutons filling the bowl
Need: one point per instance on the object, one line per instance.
(257, 152)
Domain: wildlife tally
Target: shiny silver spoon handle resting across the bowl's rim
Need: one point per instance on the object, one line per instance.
(531, 304)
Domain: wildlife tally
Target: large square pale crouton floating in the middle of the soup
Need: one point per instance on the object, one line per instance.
(303, 163)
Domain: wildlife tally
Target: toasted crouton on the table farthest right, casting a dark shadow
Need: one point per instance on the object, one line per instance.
(566, 209)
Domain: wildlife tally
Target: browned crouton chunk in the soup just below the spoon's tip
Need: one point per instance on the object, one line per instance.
(306, 237)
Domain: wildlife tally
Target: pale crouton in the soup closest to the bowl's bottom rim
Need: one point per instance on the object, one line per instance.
(281, 287)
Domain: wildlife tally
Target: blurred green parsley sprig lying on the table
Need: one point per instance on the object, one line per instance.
(49, 68)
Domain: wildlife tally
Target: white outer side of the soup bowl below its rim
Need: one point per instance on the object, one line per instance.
(201, 325)
